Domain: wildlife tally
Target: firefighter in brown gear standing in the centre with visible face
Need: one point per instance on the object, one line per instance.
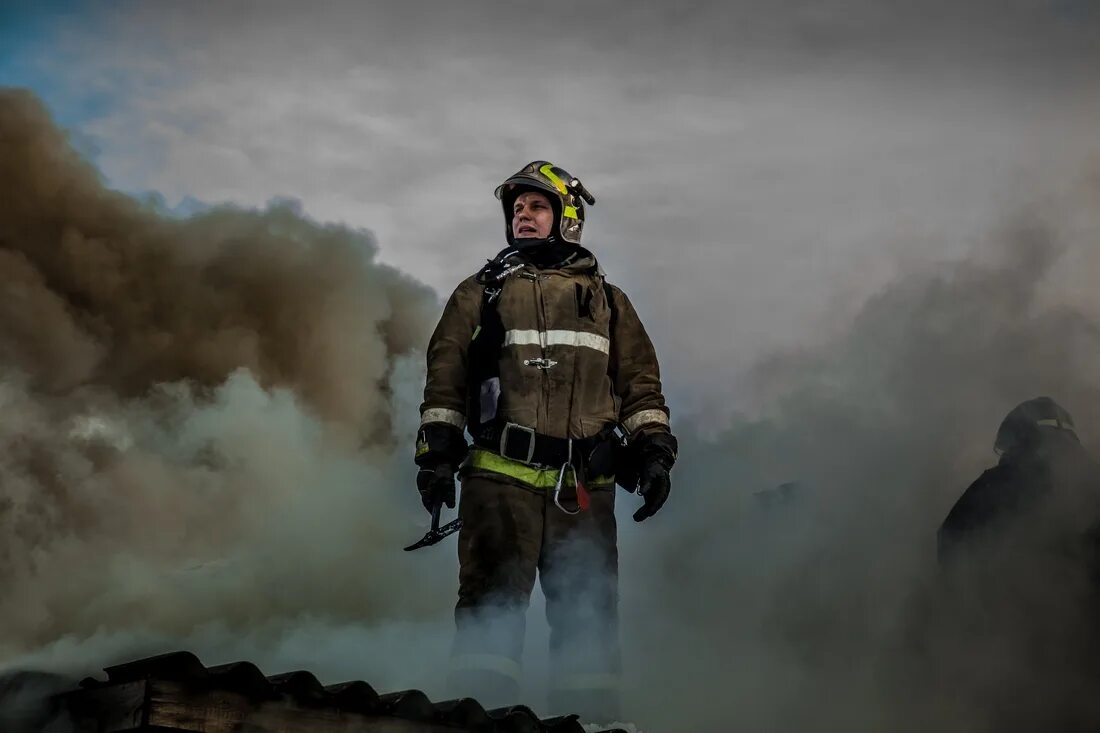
(552, 373)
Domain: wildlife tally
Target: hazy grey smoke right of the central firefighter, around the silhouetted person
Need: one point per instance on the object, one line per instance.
(819, 607)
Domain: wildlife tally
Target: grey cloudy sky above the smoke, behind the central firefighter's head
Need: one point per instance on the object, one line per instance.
(760, 168)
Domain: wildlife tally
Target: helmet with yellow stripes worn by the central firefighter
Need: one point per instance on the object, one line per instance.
(564, 191)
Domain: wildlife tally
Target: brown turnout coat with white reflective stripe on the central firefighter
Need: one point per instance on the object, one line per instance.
(602, 371)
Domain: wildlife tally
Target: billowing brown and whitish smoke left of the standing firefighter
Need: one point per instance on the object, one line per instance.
(206, 424)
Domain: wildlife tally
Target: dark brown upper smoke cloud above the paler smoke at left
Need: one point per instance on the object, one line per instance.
(101, 293)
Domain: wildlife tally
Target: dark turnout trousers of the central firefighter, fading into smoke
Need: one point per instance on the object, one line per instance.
(511, 534)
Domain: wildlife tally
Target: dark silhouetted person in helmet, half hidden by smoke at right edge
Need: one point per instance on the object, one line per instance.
(1019, 555)
